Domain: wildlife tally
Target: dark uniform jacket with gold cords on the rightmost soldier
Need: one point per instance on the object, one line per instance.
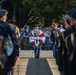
(70, 54)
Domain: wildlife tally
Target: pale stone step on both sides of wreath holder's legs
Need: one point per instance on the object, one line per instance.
(30, 53)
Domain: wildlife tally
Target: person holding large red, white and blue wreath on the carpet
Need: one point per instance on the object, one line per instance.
(37, 40)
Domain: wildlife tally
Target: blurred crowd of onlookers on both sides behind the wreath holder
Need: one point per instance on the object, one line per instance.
(50, 33)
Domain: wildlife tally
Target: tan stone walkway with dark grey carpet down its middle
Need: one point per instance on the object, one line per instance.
(22, 65)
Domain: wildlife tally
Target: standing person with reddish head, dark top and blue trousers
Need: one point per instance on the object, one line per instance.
(55, 34)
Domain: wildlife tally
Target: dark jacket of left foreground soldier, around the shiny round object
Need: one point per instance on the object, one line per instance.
(7, 31)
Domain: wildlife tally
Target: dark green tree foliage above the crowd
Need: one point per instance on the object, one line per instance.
(43, 12)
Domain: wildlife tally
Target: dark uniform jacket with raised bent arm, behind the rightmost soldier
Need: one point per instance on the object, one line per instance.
(61, 48)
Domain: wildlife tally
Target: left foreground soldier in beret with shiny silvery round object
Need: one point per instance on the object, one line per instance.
(9, 49)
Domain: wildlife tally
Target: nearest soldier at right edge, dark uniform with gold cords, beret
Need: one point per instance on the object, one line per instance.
(70, 47)
